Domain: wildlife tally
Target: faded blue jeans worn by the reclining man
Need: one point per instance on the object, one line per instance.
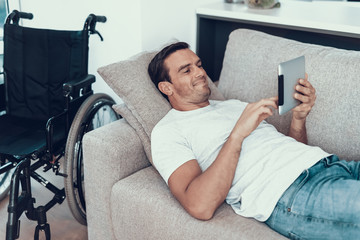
(323, 203)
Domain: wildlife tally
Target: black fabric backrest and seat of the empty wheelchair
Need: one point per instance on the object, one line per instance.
(37, 63)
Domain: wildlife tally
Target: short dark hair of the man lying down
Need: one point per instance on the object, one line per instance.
(157, 70)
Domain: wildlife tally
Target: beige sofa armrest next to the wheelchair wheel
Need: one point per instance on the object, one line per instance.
(111, 153)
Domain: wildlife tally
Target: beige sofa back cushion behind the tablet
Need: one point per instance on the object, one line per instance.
(249, 73)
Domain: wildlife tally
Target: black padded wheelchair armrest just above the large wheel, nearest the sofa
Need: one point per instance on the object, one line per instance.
(73, 87)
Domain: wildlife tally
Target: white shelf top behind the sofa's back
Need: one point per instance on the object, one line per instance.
(337, 18)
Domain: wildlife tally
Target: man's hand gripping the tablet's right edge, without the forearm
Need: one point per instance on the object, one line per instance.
(306, 95)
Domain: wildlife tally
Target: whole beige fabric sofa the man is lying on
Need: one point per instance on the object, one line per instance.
(127, 199)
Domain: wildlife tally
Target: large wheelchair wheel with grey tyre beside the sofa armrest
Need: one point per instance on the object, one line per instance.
(95, 112)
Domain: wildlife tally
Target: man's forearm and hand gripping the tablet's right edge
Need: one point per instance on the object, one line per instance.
(307, 96)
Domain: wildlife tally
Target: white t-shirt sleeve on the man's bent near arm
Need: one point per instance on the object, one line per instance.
(169, 150)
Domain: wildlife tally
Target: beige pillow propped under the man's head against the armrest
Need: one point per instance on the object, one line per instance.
(130, 80)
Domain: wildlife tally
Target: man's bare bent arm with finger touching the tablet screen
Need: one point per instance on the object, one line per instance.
(201, 193)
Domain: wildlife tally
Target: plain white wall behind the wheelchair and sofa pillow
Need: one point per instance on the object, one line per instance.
(132, 25)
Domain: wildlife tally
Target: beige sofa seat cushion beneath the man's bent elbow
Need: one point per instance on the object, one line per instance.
(162, 217)
